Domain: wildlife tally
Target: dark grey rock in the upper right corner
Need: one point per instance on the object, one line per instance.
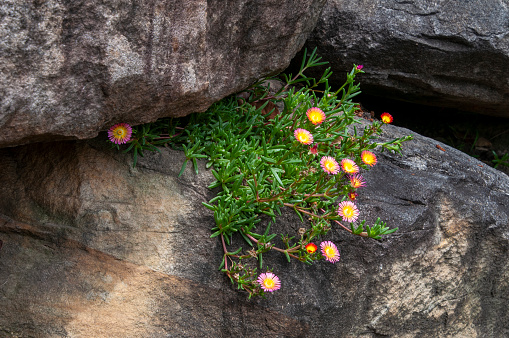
(440, 53)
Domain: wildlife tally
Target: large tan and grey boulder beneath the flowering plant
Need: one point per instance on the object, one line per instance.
(93, 247)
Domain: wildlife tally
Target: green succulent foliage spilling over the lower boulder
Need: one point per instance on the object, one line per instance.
(260, 168)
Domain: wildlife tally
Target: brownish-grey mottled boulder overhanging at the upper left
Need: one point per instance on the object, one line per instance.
(71, 69)
